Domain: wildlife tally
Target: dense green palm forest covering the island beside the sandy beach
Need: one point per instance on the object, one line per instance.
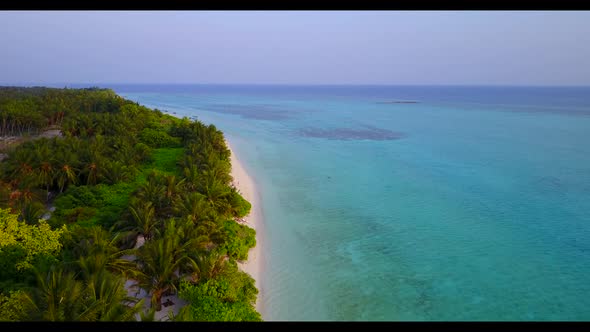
(120, 173)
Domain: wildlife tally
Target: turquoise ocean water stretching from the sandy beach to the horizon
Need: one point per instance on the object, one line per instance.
(473, 203)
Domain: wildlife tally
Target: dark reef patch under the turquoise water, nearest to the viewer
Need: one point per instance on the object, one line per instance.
(348, 134)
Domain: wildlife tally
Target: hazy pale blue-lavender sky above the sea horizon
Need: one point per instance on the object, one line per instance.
(296, 47)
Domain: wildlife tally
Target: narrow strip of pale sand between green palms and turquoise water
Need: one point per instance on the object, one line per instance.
(254, 266)
